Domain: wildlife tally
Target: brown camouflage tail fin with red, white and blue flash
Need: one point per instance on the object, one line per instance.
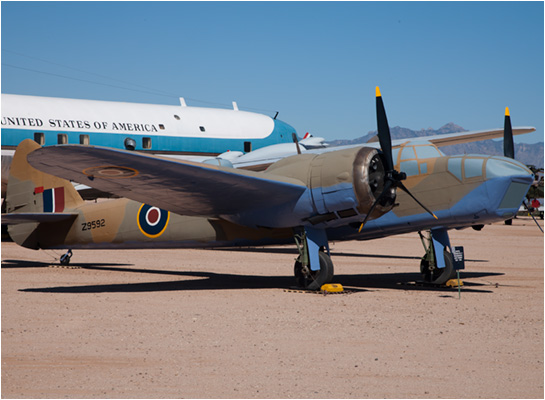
(32, 191)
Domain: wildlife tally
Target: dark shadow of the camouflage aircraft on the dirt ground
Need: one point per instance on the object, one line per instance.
(226, 281)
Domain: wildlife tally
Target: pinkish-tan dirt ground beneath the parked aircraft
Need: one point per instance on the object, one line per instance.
(220, 324)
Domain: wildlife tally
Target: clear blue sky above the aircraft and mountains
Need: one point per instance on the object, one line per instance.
(317, 63)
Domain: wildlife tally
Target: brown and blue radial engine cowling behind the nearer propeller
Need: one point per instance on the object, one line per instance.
(343, 183)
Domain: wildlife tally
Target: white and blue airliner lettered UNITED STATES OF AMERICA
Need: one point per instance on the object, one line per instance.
(159, 129)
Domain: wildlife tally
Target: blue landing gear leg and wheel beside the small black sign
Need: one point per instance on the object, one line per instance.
(434, 269)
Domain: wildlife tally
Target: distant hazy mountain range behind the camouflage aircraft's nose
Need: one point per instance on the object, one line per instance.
(529, 154)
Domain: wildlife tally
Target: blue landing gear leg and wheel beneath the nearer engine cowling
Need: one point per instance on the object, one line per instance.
(313, 268)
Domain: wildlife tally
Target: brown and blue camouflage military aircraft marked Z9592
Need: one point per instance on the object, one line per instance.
(330, 194)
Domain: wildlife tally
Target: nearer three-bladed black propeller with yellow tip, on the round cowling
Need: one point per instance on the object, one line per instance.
(392, 178)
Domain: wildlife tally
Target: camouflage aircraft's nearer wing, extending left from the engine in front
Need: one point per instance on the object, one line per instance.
(182, 187)
